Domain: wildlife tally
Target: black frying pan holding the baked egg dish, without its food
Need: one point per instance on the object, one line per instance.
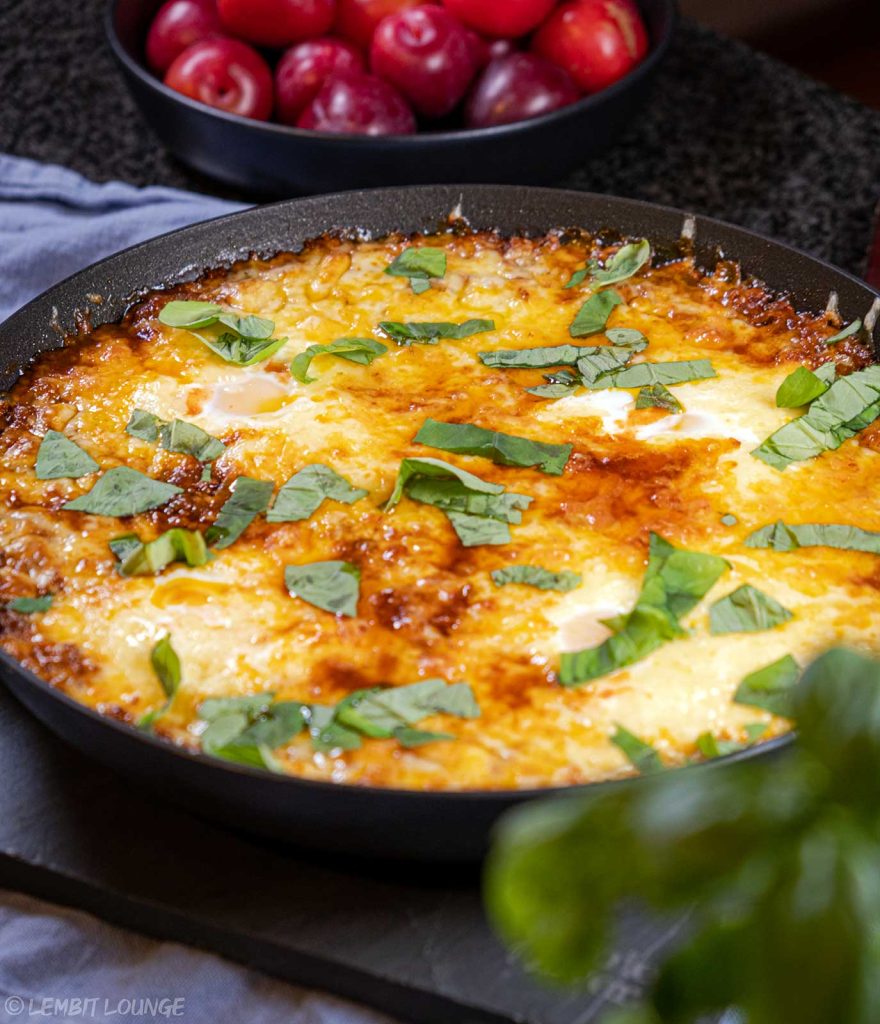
(451, 827)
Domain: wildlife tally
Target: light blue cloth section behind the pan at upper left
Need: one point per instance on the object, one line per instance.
(55, 223)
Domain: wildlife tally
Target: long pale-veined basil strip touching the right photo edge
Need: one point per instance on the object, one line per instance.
(849, 406)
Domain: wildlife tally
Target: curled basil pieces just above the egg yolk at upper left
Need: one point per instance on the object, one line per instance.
(246, 340)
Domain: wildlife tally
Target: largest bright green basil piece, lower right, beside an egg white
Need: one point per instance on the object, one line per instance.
(675, 583)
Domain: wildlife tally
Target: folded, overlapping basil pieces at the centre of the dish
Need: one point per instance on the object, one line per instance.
(479, 511)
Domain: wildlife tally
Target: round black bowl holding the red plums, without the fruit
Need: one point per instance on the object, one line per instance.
(274, 160)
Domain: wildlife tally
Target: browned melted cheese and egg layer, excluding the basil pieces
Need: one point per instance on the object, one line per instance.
(429, 608)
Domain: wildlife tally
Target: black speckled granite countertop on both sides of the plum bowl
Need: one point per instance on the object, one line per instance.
(730, 133)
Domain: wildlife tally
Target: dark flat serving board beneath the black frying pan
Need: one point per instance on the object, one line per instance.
(412, 943)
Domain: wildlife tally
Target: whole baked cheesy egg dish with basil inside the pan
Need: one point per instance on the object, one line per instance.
(447, 513)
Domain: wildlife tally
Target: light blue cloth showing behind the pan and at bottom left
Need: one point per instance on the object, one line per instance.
(53, 224)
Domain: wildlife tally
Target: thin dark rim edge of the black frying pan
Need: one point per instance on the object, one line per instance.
(171, 750)
